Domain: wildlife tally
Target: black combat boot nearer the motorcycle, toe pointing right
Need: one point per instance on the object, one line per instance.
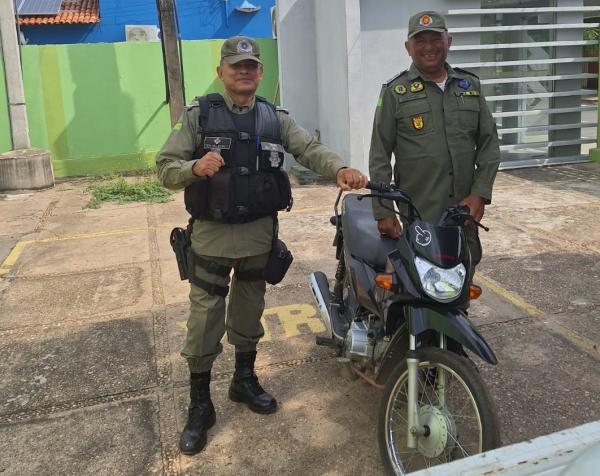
(245, 388)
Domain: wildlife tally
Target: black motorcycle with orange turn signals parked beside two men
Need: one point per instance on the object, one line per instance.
(396, 315)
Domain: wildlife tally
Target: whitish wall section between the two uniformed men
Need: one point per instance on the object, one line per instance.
(319, 50)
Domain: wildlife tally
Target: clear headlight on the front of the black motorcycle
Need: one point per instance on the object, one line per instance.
(441, 284)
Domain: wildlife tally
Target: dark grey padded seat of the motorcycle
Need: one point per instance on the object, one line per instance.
(361, 236)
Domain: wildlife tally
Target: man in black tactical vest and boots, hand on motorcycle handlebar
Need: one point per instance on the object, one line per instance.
(227, 152)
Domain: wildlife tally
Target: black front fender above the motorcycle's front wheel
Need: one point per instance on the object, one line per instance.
(454, 325)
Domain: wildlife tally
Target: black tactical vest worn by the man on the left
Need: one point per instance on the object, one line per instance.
(252, 183)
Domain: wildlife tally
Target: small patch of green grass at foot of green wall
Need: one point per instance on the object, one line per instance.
(121, 191)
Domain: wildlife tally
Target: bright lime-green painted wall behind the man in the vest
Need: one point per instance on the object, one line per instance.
(99, 108)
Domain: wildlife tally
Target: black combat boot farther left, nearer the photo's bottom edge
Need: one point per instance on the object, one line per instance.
(201, 415)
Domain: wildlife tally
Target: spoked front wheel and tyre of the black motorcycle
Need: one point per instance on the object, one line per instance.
(453, 404)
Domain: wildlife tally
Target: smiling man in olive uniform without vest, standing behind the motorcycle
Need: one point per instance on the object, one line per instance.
(436, 122)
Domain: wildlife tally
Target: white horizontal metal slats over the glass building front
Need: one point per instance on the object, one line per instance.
(540, 86)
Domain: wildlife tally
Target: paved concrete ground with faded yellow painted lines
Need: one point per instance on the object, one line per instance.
(93, 317)
